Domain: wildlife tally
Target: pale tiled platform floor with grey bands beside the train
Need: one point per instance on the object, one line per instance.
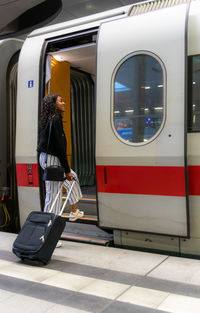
(84, 278)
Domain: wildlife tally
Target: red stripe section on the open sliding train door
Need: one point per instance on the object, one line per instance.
(146, 180)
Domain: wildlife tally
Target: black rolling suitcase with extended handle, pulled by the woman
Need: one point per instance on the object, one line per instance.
(40, 234)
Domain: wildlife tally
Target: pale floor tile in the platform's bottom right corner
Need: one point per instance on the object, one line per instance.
(180, 304)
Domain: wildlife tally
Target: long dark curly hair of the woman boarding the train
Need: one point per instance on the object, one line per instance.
(48, 108)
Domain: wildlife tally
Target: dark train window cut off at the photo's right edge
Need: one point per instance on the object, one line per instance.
(194, 94)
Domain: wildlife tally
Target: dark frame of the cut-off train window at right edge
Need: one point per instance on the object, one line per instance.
(190, 118)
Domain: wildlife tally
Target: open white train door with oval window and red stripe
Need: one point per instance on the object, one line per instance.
(141, 123)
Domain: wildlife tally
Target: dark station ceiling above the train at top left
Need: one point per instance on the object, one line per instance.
(22, 16)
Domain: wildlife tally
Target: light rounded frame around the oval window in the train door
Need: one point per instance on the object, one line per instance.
(164, 94)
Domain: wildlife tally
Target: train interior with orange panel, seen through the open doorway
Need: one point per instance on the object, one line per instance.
(70, 71)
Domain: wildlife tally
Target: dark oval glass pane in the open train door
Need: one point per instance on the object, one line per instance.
(138, 108)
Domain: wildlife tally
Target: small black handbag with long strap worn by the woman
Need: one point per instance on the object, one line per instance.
(53, 172)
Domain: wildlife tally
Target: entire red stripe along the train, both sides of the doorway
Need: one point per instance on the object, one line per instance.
(147, 180)
